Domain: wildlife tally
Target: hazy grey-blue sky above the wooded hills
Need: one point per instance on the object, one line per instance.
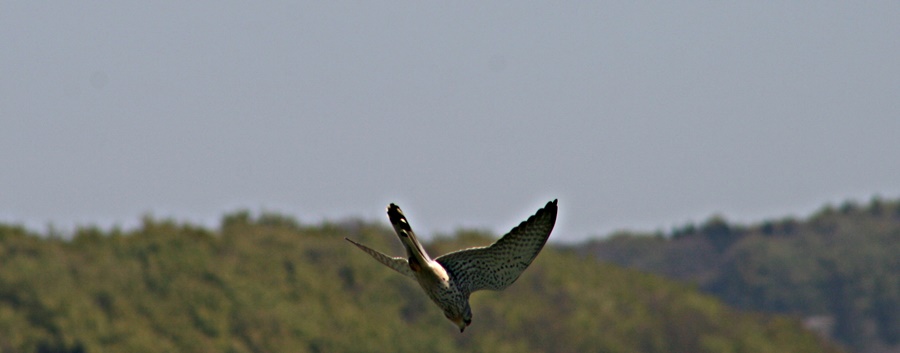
(468, 114)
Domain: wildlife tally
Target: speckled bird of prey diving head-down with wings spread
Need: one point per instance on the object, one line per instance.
(450, 279)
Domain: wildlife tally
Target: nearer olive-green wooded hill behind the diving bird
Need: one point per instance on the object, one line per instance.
(269, 284)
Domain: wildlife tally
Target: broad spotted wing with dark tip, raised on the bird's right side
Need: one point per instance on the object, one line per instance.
(497, 266)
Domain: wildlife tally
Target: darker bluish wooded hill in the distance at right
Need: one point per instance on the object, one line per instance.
(839, 268)
